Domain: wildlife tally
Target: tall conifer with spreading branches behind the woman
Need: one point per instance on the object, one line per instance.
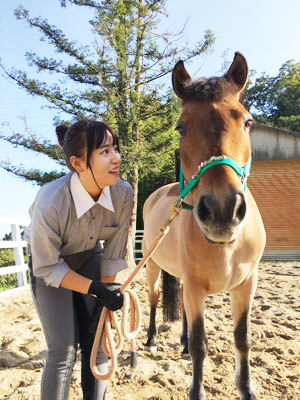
(118, 78)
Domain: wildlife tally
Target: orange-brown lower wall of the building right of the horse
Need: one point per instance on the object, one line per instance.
(275, 186)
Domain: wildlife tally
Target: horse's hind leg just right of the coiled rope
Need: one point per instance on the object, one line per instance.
(153, 273)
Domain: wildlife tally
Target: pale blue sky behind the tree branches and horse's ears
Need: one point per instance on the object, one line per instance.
(266, 32)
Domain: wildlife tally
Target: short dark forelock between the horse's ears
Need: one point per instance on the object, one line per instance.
(210, 89)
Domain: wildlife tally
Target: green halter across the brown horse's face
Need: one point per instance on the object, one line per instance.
(203, 167)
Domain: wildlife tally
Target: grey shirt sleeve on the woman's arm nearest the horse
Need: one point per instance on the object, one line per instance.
(115, 247)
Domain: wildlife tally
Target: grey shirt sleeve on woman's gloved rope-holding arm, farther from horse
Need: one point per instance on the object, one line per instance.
(45, 243)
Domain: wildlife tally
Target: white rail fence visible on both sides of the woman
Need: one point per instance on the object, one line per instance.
(20, 268)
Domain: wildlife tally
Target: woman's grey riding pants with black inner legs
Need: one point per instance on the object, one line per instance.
(65, 317)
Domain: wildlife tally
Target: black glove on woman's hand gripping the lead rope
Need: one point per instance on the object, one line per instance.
(108, 294)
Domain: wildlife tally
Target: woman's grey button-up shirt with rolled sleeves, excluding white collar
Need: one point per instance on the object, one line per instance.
(55, 230)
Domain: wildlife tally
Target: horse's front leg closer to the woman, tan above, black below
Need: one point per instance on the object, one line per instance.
(194, 298)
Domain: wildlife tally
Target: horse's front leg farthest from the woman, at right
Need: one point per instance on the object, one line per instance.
(241, 302)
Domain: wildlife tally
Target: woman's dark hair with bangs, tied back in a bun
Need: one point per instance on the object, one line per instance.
(82, 138)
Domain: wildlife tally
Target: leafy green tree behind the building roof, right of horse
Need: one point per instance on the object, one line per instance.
(276, 100)
